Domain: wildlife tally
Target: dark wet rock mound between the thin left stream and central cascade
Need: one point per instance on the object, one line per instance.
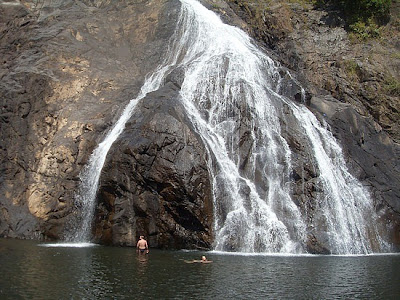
(155, 182)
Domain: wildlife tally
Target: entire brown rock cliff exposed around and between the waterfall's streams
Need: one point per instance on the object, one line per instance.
(68, 68)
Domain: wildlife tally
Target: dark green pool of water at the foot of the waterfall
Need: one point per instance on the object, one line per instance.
(31, 271)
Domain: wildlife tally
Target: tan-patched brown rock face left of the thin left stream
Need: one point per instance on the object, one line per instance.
(67, 69)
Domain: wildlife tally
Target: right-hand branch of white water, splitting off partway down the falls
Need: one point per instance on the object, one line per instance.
(346, 208)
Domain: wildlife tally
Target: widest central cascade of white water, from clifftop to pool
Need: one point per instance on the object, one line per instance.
(226, 80)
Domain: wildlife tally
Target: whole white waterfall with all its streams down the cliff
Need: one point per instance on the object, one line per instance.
(231, 93)
